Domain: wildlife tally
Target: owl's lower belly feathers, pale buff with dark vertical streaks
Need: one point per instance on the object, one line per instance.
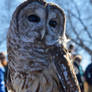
(45, 80)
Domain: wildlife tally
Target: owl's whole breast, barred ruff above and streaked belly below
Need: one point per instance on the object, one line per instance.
(34, 70)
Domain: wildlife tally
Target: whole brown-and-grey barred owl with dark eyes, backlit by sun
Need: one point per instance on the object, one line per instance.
(37, 58)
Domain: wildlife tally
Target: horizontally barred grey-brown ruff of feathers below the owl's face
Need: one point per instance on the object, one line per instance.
(33, 56)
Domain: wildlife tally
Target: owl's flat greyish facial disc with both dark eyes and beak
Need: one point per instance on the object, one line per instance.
(41, 22)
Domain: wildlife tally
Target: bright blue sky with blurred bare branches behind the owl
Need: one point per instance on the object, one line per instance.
(79, 23)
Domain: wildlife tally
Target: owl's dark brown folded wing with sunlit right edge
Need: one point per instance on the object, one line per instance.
(65, 71)
